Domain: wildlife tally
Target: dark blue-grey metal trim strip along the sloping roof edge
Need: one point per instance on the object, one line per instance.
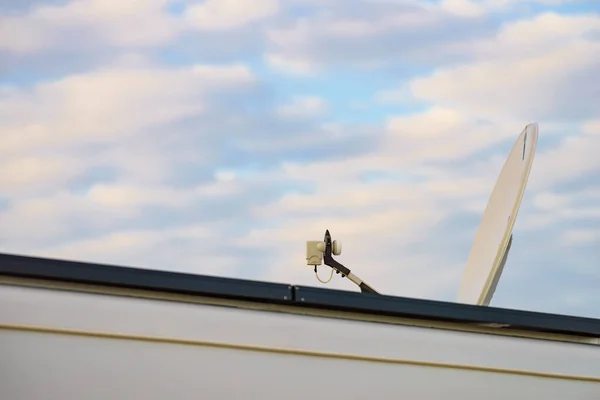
(209, 286)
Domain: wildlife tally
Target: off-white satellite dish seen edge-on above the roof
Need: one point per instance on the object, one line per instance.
(494, 236)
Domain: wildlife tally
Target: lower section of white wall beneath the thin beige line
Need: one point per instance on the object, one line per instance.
(44, 367)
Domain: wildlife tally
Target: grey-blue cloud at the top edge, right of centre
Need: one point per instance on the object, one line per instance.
(367, 34)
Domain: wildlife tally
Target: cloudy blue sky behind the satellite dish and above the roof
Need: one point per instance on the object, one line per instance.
(216, 137)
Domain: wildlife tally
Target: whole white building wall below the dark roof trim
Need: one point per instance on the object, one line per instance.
(43, 366)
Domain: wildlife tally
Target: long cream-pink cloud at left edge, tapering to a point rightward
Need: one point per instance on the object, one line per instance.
(109, 102)
